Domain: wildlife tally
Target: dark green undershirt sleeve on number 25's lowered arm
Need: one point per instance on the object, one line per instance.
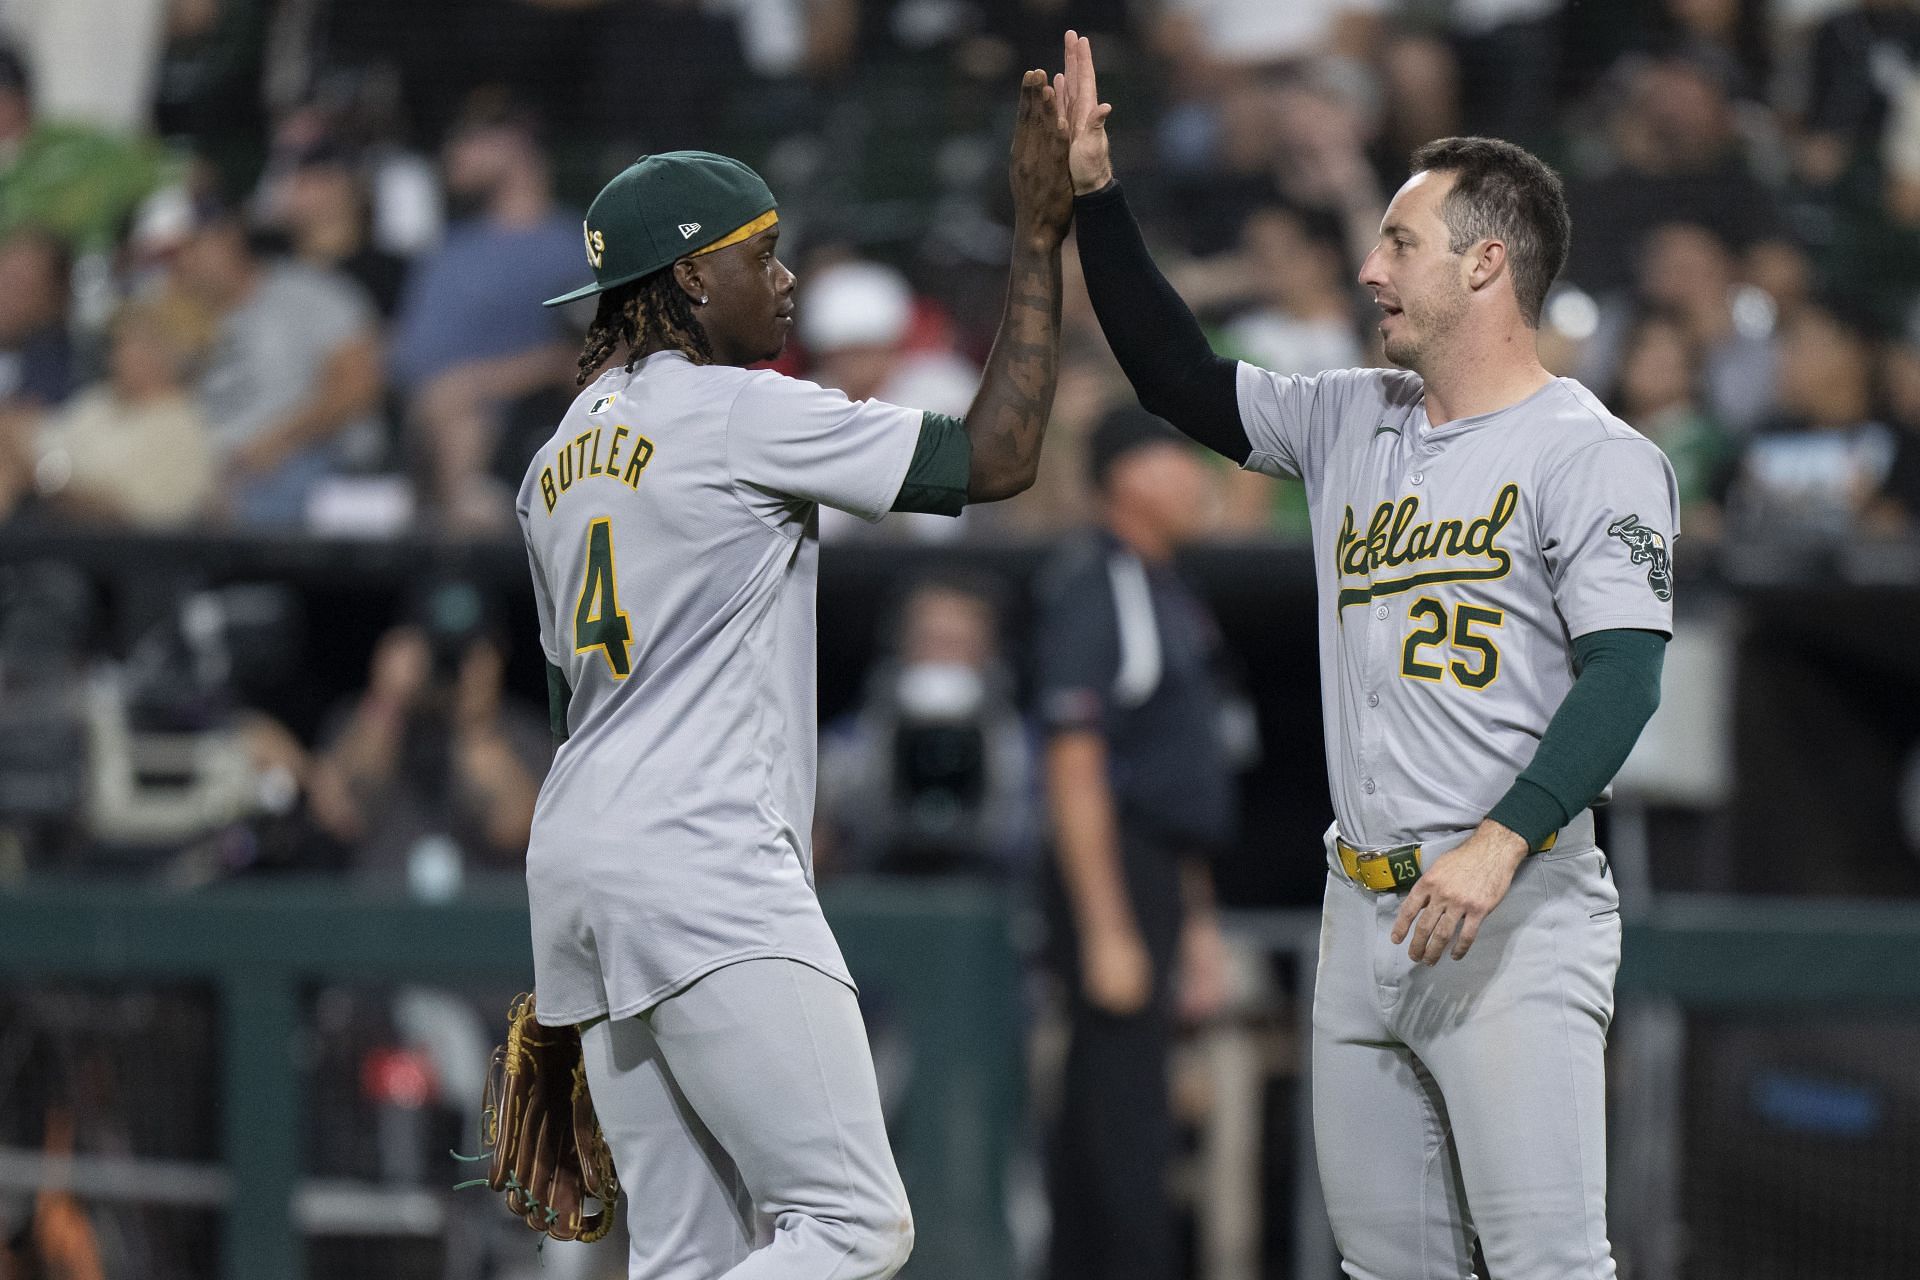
(1618, 684)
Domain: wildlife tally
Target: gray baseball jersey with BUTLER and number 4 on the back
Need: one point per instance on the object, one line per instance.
(673, 533)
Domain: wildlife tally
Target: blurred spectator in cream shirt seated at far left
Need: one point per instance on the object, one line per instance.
(135, 448)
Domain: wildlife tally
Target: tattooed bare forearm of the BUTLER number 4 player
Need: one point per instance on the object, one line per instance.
(1017, 394)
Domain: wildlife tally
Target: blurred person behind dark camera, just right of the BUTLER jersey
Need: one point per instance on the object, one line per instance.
(934, 772)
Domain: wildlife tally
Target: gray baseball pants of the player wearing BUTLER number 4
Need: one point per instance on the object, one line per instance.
(746, 1127)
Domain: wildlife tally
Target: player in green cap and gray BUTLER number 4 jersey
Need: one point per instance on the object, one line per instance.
(673, 534)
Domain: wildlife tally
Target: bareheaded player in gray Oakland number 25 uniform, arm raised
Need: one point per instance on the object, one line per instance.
(1495, 598)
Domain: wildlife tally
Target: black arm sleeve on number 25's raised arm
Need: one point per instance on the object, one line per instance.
(1155, 337)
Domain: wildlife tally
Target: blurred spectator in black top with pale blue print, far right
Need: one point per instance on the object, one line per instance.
(1817, 469)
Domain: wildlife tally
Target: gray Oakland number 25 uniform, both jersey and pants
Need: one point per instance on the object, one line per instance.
(1456, 569)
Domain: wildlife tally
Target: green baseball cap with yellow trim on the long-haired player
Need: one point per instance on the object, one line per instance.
(669, 206)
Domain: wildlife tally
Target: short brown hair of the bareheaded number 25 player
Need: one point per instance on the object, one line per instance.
(1510, 195)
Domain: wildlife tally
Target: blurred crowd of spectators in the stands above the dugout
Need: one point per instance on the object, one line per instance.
(277, 268)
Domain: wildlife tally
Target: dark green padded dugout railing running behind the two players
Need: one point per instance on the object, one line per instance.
(940, 959)
